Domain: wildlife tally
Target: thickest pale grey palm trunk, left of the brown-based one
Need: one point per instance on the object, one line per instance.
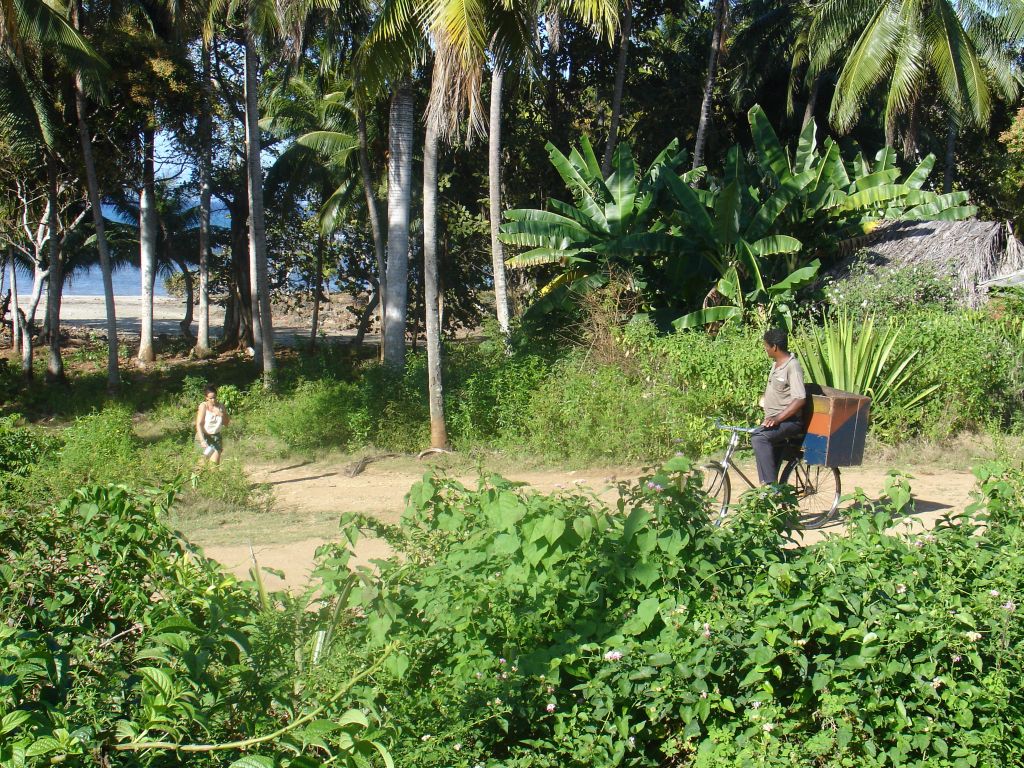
(400, 193)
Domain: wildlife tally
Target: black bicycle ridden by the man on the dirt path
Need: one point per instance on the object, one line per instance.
(819, 489)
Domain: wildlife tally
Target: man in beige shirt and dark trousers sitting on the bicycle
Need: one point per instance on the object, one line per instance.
(783, 403)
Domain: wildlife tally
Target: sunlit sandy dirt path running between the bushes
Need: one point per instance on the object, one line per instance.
(310, 497)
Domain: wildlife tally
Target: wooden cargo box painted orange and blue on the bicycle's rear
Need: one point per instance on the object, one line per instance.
(837, 428)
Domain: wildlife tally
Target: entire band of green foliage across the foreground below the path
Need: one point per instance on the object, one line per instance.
(517, 629)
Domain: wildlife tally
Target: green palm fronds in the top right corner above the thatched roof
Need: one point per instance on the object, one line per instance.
(962, 47)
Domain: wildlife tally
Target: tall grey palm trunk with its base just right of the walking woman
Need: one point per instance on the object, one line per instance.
(258, 229)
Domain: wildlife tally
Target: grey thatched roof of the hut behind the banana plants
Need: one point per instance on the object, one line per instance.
(974, 253)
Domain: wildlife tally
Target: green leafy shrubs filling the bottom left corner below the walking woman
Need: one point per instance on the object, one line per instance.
(117, 637)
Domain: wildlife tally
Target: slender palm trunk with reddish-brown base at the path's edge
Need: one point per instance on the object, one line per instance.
(436, 392)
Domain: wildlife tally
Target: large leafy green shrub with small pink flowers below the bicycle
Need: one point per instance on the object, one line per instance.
(557, 631)
